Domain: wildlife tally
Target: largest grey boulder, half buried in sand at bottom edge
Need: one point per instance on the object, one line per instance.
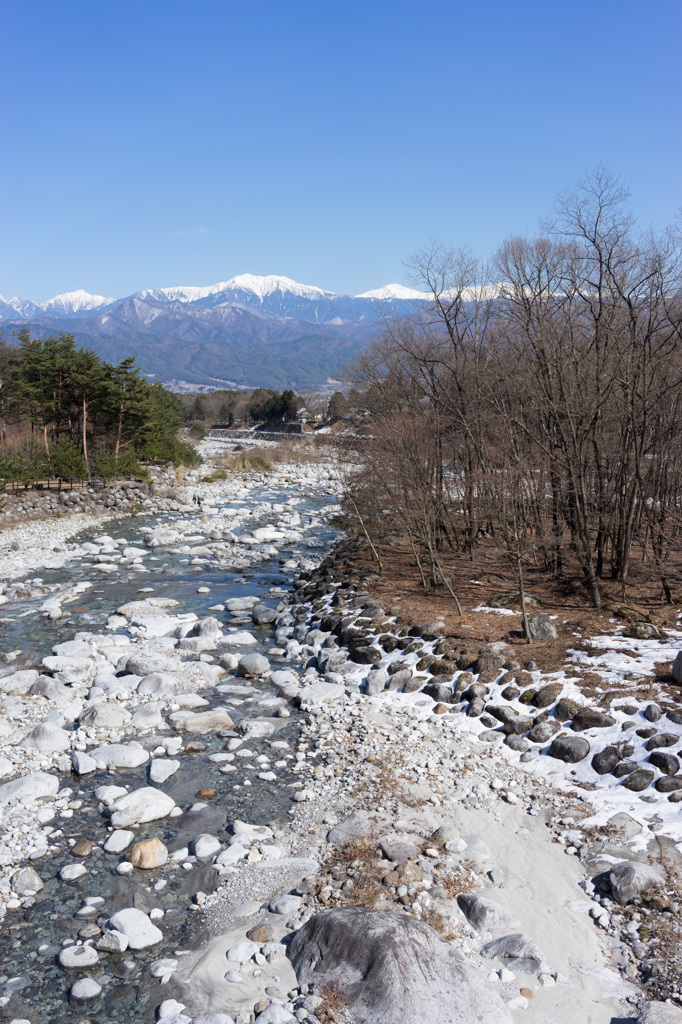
(392, 968)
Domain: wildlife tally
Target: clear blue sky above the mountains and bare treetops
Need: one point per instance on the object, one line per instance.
(154, 144)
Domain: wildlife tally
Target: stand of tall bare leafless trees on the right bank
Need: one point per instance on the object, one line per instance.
(537, 399)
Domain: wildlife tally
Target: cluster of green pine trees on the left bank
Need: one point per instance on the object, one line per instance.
(66, 413)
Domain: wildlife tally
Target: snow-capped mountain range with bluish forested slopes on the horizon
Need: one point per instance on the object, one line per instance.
(247, 332)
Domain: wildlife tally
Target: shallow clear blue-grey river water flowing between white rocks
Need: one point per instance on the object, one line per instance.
(33, 986)
